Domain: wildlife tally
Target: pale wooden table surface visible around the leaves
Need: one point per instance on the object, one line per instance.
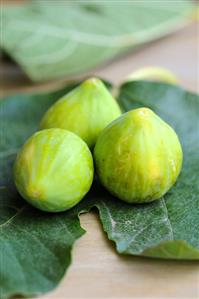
(97, 271)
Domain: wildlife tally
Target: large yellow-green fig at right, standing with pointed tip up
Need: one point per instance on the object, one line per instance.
(138, 157)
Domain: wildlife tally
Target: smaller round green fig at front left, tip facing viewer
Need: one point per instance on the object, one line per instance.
(53, 170)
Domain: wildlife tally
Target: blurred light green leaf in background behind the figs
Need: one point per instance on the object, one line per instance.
(50, 39)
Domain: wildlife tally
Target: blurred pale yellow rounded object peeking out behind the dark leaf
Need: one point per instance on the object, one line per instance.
(153, 73)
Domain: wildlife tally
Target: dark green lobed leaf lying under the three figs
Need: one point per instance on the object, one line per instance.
(35, 247)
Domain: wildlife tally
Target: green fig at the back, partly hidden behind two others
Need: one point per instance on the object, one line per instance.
(86, 111)
